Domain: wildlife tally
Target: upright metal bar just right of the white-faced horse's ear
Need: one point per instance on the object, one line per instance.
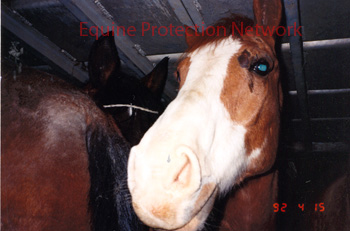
(296, 50)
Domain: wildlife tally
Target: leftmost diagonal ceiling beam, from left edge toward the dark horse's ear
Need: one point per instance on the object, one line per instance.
(40, 43)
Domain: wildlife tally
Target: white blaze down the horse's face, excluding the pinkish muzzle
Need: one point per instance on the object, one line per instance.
(198, 119)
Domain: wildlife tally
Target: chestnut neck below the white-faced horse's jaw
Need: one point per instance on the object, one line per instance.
(250, 207)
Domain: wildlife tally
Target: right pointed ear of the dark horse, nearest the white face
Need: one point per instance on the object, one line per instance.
(155, 81)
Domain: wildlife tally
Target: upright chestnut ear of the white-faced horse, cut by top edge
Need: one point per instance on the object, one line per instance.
(267, 13)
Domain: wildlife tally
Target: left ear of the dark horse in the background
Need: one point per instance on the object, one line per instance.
(103, 61)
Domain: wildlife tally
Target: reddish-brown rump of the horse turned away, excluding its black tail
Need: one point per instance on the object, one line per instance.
(48, 131)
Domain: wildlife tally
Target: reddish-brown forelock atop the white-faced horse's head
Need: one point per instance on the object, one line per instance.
(223, 29)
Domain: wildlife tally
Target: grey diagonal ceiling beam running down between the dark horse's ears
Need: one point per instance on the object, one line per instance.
(102, 19)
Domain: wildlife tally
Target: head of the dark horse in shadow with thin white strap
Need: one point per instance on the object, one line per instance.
(109, 85)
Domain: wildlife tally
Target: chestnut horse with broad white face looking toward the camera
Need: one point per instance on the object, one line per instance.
(221, 131)
